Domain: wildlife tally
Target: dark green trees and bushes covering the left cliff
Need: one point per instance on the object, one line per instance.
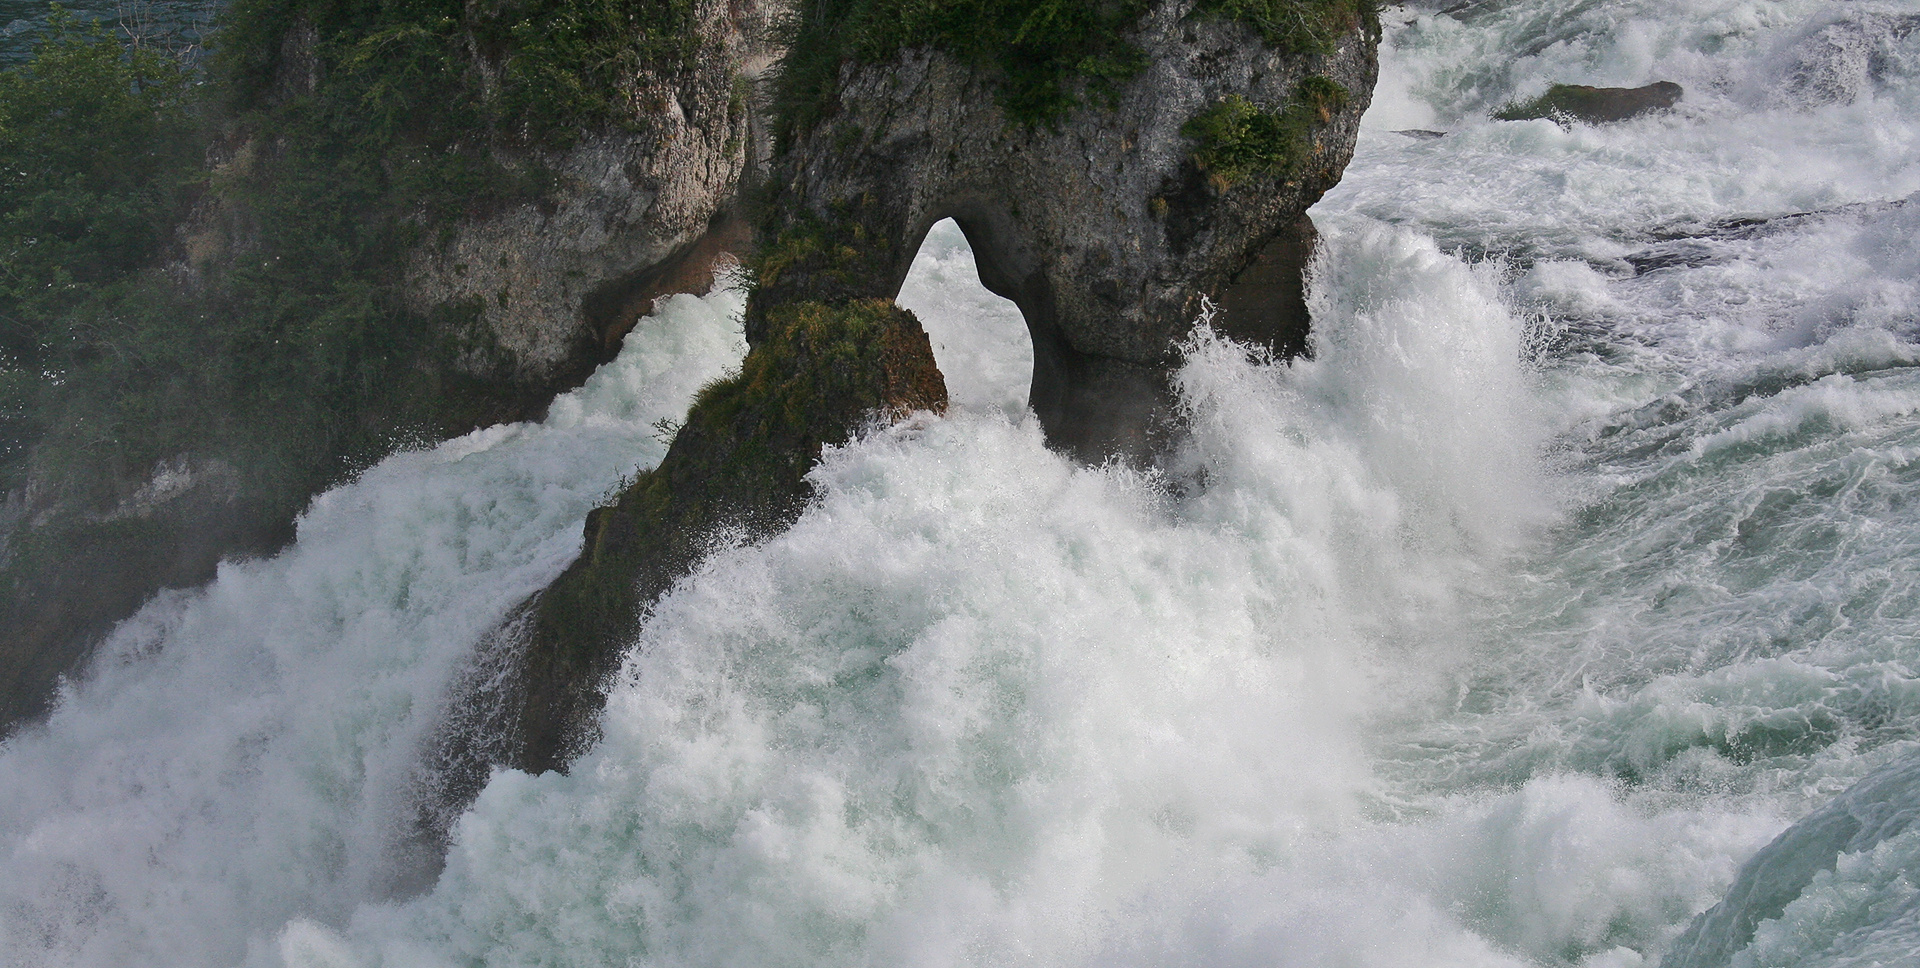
(354, 132)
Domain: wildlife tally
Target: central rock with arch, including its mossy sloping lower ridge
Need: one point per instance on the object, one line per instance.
(1178, 166)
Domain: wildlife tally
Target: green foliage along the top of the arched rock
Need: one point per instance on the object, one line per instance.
(1047, 55)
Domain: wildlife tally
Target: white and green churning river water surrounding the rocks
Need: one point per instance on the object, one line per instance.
(1573, 569)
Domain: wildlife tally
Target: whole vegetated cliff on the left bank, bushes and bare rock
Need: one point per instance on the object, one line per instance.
(375, 279)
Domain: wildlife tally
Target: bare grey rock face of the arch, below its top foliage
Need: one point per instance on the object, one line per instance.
(1107, 230)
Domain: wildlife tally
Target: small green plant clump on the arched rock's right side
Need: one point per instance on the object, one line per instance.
(1239, 139)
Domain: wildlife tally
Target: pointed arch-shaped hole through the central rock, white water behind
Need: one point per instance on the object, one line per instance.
(980, 341)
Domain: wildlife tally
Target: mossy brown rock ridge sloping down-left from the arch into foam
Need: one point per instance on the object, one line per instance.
(738, 466)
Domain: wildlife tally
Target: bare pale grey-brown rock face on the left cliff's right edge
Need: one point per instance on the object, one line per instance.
(635, 214)
